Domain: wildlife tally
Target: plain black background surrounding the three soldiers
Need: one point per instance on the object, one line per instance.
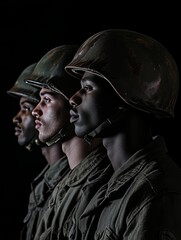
(27, 31)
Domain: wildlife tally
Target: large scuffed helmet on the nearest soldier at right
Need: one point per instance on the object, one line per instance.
(141, 71)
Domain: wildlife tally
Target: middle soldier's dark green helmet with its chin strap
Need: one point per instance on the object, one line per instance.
(50, 73)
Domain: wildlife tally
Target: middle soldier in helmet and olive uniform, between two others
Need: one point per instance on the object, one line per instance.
(89, 164)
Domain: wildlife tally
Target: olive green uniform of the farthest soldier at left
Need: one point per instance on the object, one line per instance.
(42, 188)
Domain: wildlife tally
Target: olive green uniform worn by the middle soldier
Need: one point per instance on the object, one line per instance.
(88, 176)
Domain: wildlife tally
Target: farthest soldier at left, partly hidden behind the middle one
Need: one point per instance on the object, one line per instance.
(57, 165)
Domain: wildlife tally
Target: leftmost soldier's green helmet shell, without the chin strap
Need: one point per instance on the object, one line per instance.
(21, 89)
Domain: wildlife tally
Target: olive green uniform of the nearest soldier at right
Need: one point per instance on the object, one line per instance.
(142, 200)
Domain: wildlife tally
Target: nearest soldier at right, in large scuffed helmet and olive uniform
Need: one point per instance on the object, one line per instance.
(128, 82)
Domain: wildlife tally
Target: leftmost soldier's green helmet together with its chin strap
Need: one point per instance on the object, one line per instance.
(21, 89)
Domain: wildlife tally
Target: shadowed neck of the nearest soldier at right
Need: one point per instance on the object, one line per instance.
(132, 135)
